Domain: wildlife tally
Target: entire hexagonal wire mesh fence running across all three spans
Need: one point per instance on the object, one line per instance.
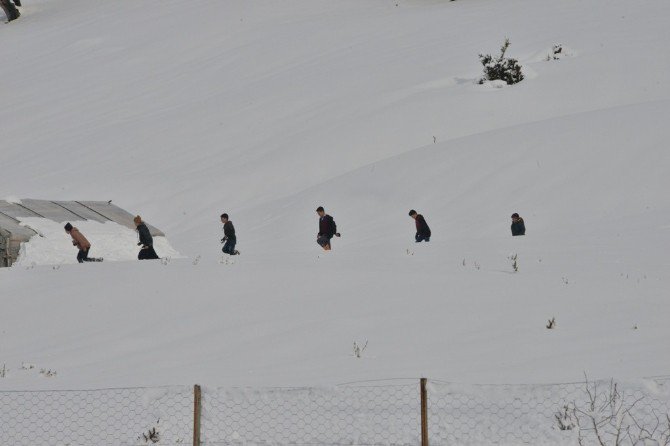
(371, 413)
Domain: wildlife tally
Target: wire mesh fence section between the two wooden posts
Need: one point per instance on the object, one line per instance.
(343, 415)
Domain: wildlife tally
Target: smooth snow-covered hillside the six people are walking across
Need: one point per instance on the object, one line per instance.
(266, 110)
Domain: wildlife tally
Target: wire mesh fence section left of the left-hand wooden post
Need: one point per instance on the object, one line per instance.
(114, 417)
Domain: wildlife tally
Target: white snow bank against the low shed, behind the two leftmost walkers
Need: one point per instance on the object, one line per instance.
(109, 240)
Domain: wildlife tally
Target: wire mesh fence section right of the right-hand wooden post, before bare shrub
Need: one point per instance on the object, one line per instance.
(557, 414)
